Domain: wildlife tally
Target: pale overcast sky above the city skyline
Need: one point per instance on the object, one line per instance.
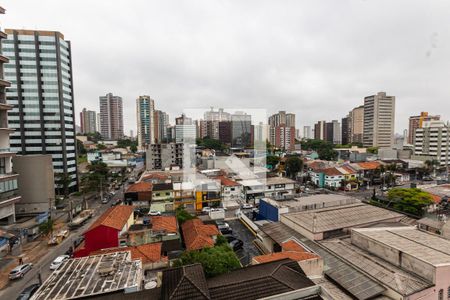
(317, 59)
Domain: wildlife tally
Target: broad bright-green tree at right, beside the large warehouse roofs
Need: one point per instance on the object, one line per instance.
(410, 200)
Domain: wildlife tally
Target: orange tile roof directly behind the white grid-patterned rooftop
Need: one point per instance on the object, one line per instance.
(147, 253)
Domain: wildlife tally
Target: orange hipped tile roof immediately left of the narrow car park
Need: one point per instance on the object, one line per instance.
(198, 235)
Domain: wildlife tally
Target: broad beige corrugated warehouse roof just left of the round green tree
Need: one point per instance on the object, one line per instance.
(345, 216)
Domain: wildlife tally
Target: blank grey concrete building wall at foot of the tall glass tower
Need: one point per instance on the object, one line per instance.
(36, 183)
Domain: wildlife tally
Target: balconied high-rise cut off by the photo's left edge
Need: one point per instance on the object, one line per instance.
(8, 180)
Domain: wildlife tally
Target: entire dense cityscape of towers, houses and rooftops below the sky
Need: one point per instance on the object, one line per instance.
(220, 203)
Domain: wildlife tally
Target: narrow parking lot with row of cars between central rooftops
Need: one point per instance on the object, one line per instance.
(243, 233)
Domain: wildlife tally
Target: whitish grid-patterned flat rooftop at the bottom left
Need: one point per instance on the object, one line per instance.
(92, 275)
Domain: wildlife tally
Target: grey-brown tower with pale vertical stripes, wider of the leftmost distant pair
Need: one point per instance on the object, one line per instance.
(111, 117)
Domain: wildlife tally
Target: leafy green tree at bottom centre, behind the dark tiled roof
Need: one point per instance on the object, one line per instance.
(215, 261)
